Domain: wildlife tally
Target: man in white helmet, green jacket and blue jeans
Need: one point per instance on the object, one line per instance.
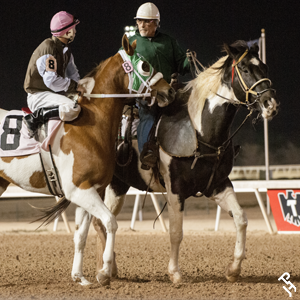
(165, 55)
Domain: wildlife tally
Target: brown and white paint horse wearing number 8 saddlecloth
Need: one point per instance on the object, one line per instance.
(84, 149)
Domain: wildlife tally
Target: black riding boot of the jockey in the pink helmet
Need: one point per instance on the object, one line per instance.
(39, 117)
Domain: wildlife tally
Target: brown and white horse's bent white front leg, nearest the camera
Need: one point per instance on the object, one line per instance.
(90, 200)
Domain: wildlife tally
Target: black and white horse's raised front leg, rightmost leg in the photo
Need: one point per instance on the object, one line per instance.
(228, 201)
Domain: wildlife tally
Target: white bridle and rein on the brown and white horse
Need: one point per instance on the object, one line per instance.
(150, 81)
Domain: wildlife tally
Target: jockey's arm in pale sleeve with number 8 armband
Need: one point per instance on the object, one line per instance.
(52, 80)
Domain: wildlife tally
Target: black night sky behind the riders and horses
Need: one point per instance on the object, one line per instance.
(202, 26)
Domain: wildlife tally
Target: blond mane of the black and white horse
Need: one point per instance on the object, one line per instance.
(203, 86)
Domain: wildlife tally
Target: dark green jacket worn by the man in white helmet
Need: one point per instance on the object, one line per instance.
(163, 53)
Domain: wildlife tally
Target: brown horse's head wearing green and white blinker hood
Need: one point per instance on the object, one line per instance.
(142, 78)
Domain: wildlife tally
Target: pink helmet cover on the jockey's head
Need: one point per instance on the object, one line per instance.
(62, 22)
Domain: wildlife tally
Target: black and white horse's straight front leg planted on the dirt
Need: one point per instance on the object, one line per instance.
(176, 236)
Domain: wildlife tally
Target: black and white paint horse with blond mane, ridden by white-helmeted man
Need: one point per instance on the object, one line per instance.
(211, 100)
